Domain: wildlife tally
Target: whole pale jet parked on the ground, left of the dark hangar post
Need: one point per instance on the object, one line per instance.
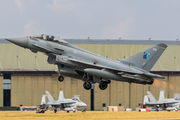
(62, 103)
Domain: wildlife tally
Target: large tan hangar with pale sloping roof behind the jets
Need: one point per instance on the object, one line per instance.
(25, 76)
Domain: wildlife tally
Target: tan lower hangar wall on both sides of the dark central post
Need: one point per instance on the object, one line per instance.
(27, 90)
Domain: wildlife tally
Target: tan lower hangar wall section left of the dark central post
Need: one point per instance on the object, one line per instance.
(27, 89)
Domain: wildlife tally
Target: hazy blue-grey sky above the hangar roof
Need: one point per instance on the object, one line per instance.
(97, 19)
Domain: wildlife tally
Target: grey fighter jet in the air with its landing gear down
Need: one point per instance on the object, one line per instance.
(92, 68)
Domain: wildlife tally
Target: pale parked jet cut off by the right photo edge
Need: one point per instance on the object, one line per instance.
(162, 103)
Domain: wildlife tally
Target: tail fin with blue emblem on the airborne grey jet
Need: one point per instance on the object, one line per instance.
(147, 58)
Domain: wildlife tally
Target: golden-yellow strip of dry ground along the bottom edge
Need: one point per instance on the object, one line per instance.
(88, 115)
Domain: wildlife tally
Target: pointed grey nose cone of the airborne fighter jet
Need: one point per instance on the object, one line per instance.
(23, 42)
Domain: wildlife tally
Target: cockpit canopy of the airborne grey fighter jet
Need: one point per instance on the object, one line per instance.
(50, 38)
